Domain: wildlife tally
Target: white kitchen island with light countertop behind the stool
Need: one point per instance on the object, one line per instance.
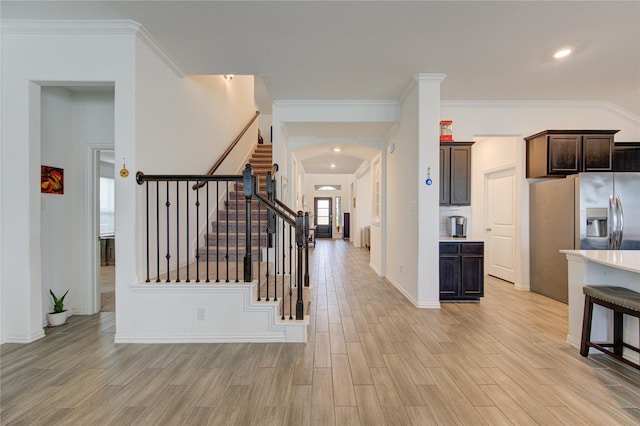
(601, 267)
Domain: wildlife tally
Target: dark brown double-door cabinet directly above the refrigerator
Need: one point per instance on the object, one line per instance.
(557, 153)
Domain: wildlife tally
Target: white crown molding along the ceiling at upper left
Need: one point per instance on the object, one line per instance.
(89, 27)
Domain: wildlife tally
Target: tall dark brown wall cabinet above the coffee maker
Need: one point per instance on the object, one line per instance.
(455, 173)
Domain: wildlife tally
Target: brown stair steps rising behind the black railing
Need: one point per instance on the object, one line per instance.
(227, 239)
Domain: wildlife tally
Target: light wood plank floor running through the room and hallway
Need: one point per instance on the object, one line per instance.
(372, 359)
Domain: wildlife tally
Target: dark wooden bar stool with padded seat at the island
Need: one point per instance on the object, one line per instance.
(621, 301)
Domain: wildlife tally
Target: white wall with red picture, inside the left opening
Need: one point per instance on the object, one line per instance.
(72, 122)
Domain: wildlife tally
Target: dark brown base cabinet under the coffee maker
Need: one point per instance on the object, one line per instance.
(461, 270)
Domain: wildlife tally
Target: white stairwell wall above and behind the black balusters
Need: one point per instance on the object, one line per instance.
(183, 125)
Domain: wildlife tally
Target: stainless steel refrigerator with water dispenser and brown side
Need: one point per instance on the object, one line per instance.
(588, 211)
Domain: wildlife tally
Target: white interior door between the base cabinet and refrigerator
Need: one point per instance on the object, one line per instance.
(500, 224)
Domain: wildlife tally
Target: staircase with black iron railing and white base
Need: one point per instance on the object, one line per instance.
(217, 301)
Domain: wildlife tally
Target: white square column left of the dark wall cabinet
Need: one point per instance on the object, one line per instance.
(428, 195)
